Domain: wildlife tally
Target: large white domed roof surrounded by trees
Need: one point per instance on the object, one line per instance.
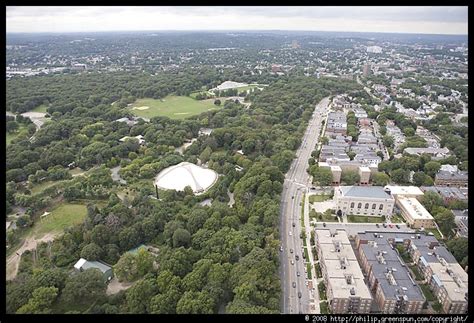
(184, 174)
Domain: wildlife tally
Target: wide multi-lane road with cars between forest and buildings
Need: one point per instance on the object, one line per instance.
(295, 293)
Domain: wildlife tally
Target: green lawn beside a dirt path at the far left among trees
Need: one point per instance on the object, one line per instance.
(63, 216)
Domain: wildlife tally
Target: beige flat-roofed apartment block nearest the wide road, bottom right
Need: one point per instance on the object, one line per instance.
(345, 287)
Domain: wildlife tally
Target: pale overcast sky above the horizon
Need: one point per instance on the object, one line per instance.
(429, 20)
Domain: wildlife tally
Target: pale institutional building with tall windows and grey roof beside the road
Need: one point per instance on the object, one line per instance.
(363, 200)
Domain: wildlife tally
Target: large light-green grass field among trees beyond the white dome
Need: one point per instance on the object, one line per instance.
(174, 107)
